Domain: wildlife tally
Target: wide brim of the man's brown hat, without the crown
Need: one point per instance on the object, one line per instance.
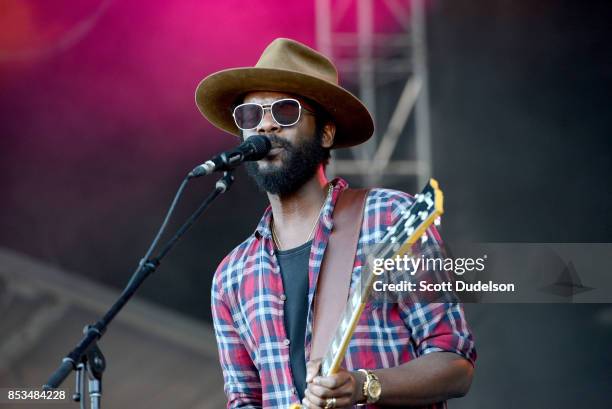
(217, 94)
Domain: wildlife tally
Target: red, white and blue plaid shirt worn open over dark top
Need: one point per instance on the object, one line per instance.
(247, 306)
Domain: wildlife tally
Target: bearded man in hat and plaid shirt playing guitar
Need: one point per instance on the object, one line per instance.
(262, 292)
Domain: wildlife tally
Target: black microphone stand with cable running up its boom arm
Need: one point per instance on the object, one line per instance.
(86, 358)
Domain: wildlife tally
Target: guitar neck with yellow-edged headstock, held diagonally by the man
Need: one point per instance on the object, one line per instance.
(398, 240)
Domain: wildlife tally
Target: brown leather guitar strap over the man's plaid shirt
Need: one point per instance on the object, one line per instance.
(336, 269)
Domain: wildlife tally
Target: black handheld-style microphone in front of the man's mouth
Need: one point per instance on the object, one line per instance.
(256, 147)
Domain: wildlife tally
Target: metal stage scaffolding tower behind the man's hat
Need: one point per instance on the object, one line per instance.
(367, 57)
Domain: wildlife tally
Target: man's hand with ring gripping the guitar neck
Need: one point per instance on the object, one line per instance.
(345, 386)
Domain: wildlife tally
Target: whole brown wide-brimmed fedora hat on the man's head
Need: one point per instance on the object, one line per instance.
(290, 67)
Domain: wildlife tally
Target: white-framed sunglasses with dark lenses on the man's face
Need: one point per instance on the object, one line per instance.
(285, 112)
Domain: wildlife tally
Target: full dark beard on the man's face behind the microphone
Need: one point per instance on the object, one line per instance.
(299, 163)
